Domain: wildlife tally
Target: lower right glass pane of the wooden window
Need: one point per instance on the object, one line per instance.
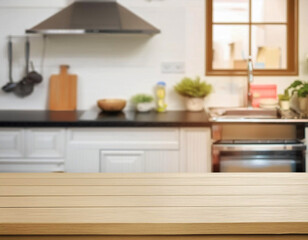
(269, 46)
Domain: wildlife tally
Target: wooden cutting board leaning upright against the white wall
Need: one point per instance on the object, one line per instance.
(62, 91)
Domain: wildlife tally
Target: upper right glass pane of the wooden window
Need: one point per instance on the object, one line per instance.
(269, 11)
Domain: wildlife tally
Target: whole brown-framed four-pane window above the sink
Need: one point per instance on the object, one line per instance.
(266, 30)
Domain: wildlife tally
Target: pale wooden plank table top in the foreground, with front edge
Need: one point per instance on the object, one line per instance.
(153, 204)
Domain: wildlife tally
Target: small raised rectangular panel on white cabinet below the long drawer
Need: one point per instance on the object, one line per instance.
(122, 161)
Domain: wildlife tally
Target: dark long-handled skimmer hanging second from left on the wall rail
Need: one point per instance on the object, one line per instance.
(25, 86)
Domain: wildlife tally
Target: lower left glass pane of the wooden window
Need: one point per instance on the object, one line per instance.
(230, 46)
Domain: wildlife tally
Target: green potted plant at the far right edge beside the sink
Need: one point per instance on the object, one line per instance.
(300, 90)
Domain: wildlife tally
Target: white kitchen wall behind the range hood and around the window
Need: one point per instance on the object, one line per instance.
(121, 66)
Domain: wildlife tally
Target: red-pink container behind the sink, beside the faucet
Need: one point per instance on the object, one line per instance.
(262, 91)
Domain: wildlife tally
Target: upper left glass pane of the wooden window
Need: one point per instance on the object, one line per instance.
(230, 11)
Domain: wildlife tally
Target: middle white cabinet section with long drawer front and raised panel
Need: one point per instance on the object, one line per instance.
(123, 150)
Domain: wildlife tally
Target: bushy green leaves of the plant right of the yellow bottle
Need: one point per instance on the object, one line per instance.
(193, 88)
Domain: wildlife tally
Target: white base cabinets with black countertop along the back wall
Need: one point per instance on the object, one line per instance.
(92, 141)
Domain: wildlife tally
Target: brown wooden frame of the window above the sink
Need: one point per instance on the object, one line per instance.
(292, 44)
